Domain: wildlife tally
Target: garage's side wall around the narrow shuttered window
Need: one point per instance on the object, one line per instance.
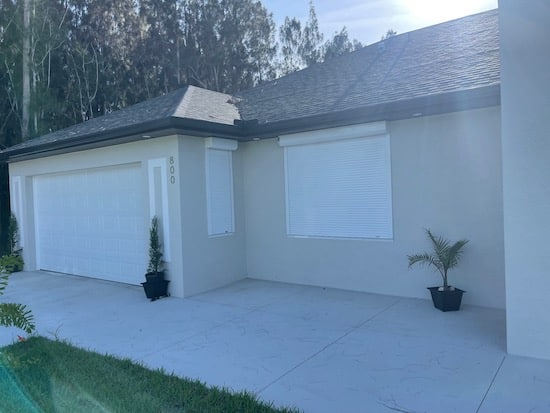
(209, 262)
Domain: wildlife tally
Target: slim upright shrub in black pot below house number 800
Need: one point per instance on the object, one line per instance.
(155, 284)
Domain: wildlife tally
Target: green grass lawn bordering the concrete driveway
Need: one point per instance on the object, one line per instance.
(40, 375)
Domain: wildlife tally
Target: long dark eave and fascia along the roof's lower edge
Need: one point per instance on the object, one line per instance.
(251, 130)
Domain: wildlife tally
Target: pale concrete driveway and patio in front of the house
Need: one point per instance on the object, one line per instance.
(321, 350)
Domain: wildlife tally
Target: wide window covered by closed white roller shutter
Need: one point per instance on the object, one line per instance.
(338, 183)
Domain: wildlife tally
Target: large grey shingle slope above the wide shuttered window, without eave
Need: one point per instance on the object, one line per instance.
(454, 56)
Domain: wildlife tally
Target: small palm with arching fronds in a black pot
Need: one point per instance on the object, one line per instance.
(444, 257)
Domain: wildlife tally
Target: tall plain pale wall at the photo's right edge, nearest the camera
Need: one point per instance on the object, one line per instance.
(526, 158)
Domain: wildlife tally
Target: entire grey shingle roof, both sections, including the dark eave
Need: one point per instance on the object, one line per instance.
(424, 68)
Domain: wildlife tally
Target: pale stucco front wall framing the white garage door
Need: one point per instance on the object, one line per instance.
(22, 173)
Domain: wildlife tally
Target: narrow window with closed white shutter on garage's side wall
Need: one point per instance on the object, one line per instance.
(219, 186)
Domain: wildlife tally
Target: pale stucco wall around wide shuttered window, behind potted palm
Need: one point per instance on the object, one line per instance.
(446, 176)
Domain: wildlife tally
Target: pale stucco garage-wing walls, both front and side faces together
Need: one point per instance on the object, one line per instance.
(195, 261)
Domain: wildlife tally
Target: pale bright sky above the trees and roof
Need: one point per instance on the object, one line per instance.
(368, 20)
